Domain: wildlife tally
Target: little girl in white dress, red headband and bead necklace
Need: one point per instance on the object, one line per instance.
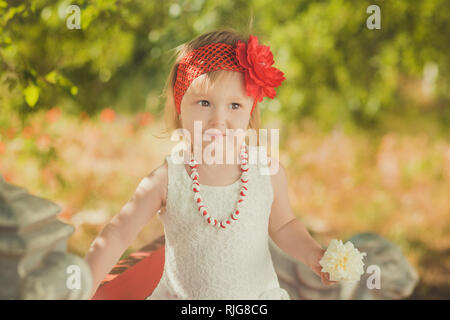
(217, 216)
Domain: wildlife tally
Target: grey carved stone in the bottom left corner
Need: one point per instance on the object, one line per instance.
(34, 262)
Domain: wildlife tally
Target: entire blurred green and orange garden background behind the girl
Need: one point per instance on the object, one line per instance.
(364, 115)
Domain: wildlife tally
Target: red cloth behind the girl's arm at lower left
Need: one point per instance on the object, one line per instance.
(136, 282)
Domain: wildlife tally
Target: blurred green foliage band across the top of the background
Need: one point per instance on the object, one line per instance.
(337, 70)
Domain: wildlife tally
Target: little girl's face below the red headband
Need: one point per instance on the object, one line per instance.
(220, 105)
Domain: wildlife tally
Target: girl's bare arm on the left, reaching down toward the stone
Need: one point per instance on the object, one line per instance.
(124, 227)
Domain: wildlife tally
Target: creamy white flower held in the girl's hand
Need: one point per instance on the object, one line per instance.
(343, 262)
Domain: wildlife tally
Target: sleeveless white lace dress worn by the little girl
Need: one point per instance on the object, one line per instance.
(203, 262)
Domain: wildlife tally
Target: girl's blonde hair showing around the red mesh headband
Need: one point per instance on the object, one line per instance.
(224, 35)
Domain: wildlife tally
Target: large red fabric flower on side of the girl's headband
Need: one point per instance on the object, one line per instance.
(260, 77)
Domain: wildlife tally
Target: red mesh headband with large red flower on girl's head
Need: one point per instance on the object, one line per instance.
(254, 60)
